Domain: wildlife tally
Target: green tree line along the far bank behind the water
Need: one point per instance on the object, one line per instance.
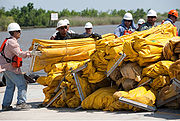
(28, 16)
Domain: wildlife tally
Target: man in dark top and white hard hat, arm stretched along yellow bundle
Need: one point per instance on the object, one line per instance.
(63, 33)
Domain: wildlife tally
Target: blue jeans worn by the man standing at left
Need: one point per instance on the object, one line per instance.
(12, 80)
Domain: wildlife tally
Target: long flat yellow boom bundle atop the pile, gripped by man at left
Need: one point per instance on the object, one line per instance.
(54, 51)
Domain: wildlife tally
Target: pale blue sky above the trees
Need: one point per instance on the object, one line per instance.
(100, 5)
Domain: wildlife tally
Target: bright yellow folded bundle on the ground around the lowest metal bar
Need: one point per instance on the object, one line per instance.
(141, 94)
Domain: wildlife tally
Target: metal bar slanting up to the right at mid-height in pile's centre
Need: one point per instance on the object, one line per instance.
(123, 55)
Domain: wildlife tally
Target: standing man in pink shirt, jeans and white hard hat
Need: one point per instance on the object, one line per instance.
(10, 63)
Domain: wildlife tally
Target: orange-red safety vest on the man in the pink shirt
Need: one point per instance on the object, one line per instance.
(15, 61)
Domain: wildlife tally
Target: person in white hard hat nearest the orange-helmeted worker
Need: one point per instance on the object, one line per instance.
(151, 20)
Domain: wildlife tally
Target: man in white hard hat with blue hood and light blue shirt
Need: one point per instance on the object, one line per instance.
(126, 27)
